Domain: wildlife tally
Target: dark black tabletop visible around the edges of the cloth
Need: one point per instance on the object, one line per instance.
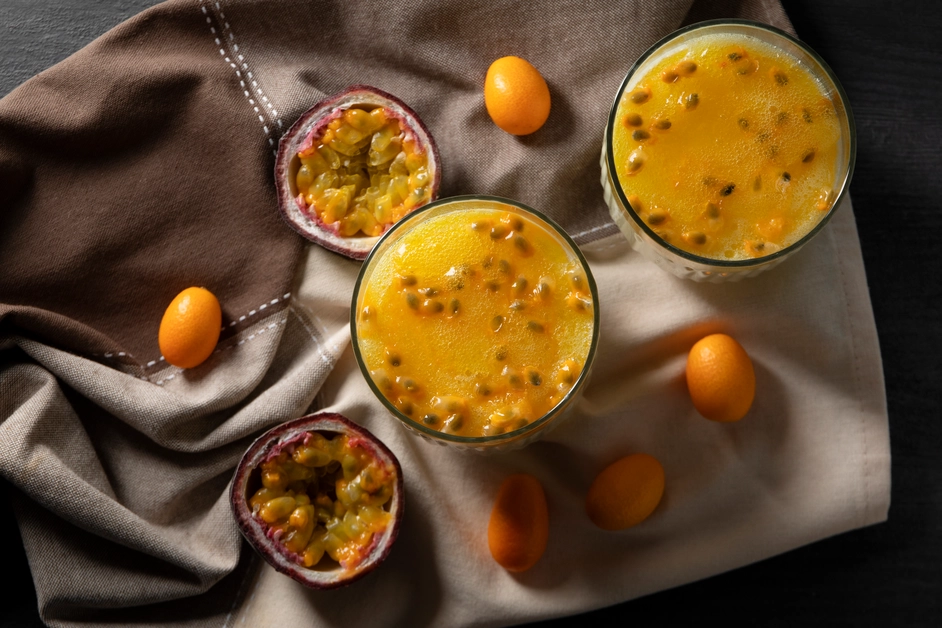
(889, 58)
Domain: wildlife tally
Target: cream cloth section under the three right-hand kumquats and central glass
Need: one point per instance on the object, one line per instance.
(809, 461)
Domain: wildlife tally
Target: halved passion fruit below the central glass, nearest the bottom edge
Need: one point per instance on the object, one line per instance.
(320, 498)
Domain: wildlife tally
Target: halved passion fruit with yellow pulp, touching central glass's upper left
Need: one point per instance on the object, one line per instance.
(353, 165)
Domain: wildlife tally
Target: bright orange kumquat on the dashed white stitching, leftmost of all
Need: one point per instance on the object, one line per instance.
(190, 328)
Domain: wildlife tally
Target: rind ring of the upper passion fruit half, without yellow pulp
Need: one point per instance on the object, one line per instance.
(308, 129)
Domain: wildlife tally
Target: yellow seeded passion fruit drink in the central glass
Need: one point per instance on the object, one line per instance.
(476, 322)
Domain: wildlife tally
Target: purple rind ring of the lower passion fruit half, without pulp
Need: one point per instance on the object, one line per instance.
(265, 540)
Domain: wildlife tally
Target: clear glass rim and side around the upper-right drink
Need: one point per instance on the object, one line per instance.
(709, 261)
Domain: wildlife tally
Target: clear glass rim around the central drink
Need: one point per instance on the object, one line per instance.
(506, 437)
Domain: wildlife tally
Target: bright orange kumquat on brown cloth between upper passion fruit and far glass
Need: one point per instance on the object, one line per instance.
(516, 96)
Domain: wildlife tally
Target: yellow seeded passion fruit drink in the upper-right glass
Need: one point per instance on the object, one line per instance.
(727, 147)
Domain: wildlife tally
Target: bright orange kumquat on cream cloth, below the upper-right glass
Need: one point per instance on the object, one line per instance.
(720, 378)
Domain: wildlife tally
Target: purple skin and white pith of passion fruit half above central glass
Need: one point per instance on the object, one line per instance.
(317, 231)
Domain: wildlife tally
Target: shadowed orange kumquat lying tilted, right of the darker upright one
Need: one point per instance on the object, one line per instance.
(626, 492)
